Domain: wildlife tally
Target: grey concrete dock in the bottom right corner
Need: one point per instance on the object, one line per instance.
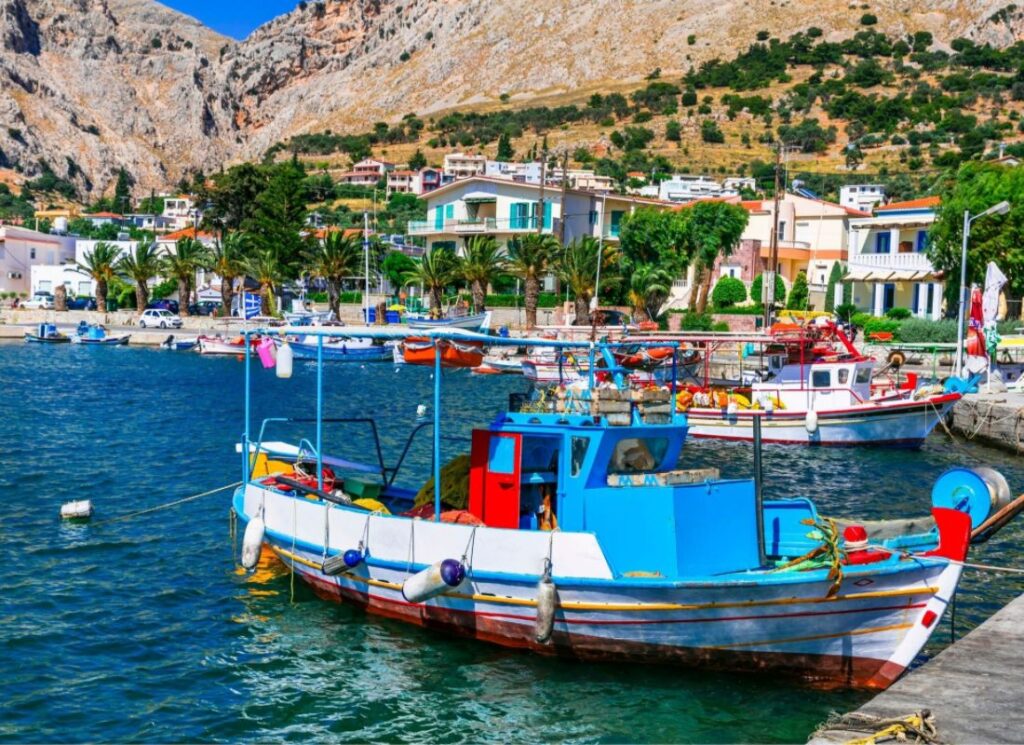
(972, 688)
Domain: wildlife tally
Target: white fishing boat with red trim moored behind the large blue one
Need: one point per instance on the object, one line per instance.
(824, 396)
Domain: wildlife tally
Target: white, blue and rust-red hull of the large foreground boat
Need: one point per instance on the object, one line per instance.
(864, 636)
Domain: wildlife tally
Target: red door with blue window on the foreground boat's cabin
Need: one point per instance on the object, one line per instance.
(494, 479)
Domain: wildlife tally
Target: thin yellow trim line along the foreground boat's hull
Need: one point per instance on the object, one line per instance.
(630, 607)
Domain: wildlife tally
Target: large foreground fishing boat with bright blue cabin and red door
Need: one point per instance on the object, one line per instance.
(575, 528)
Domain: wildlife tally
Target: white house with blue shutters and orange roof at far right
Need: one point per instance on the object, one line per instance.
(888, 266)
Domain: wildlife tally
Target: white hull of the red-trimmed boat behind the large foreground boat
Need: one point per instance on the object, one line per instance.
(905, 423)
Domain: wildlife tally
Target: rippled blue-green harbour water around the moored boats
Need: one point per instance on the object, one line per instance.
(144, 631)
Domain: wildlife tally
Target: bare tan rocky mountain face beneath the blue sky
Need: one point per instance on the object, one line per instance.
(91, 86)
